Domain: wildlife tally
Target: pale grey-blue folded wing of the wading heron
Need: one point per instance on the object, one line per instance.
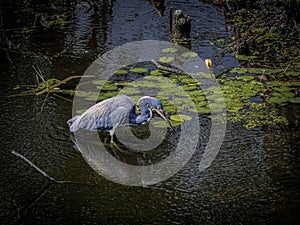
(107, 115)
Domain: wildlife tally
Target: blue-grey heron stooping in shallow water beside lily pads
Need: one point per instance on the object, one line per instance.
(111, 113)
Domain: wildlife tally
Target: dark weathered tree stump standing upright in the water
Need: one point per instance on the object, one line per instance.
(180, 27)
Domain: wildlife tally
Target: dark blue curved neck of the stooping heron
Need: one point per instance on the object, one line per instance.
(146, 113)
